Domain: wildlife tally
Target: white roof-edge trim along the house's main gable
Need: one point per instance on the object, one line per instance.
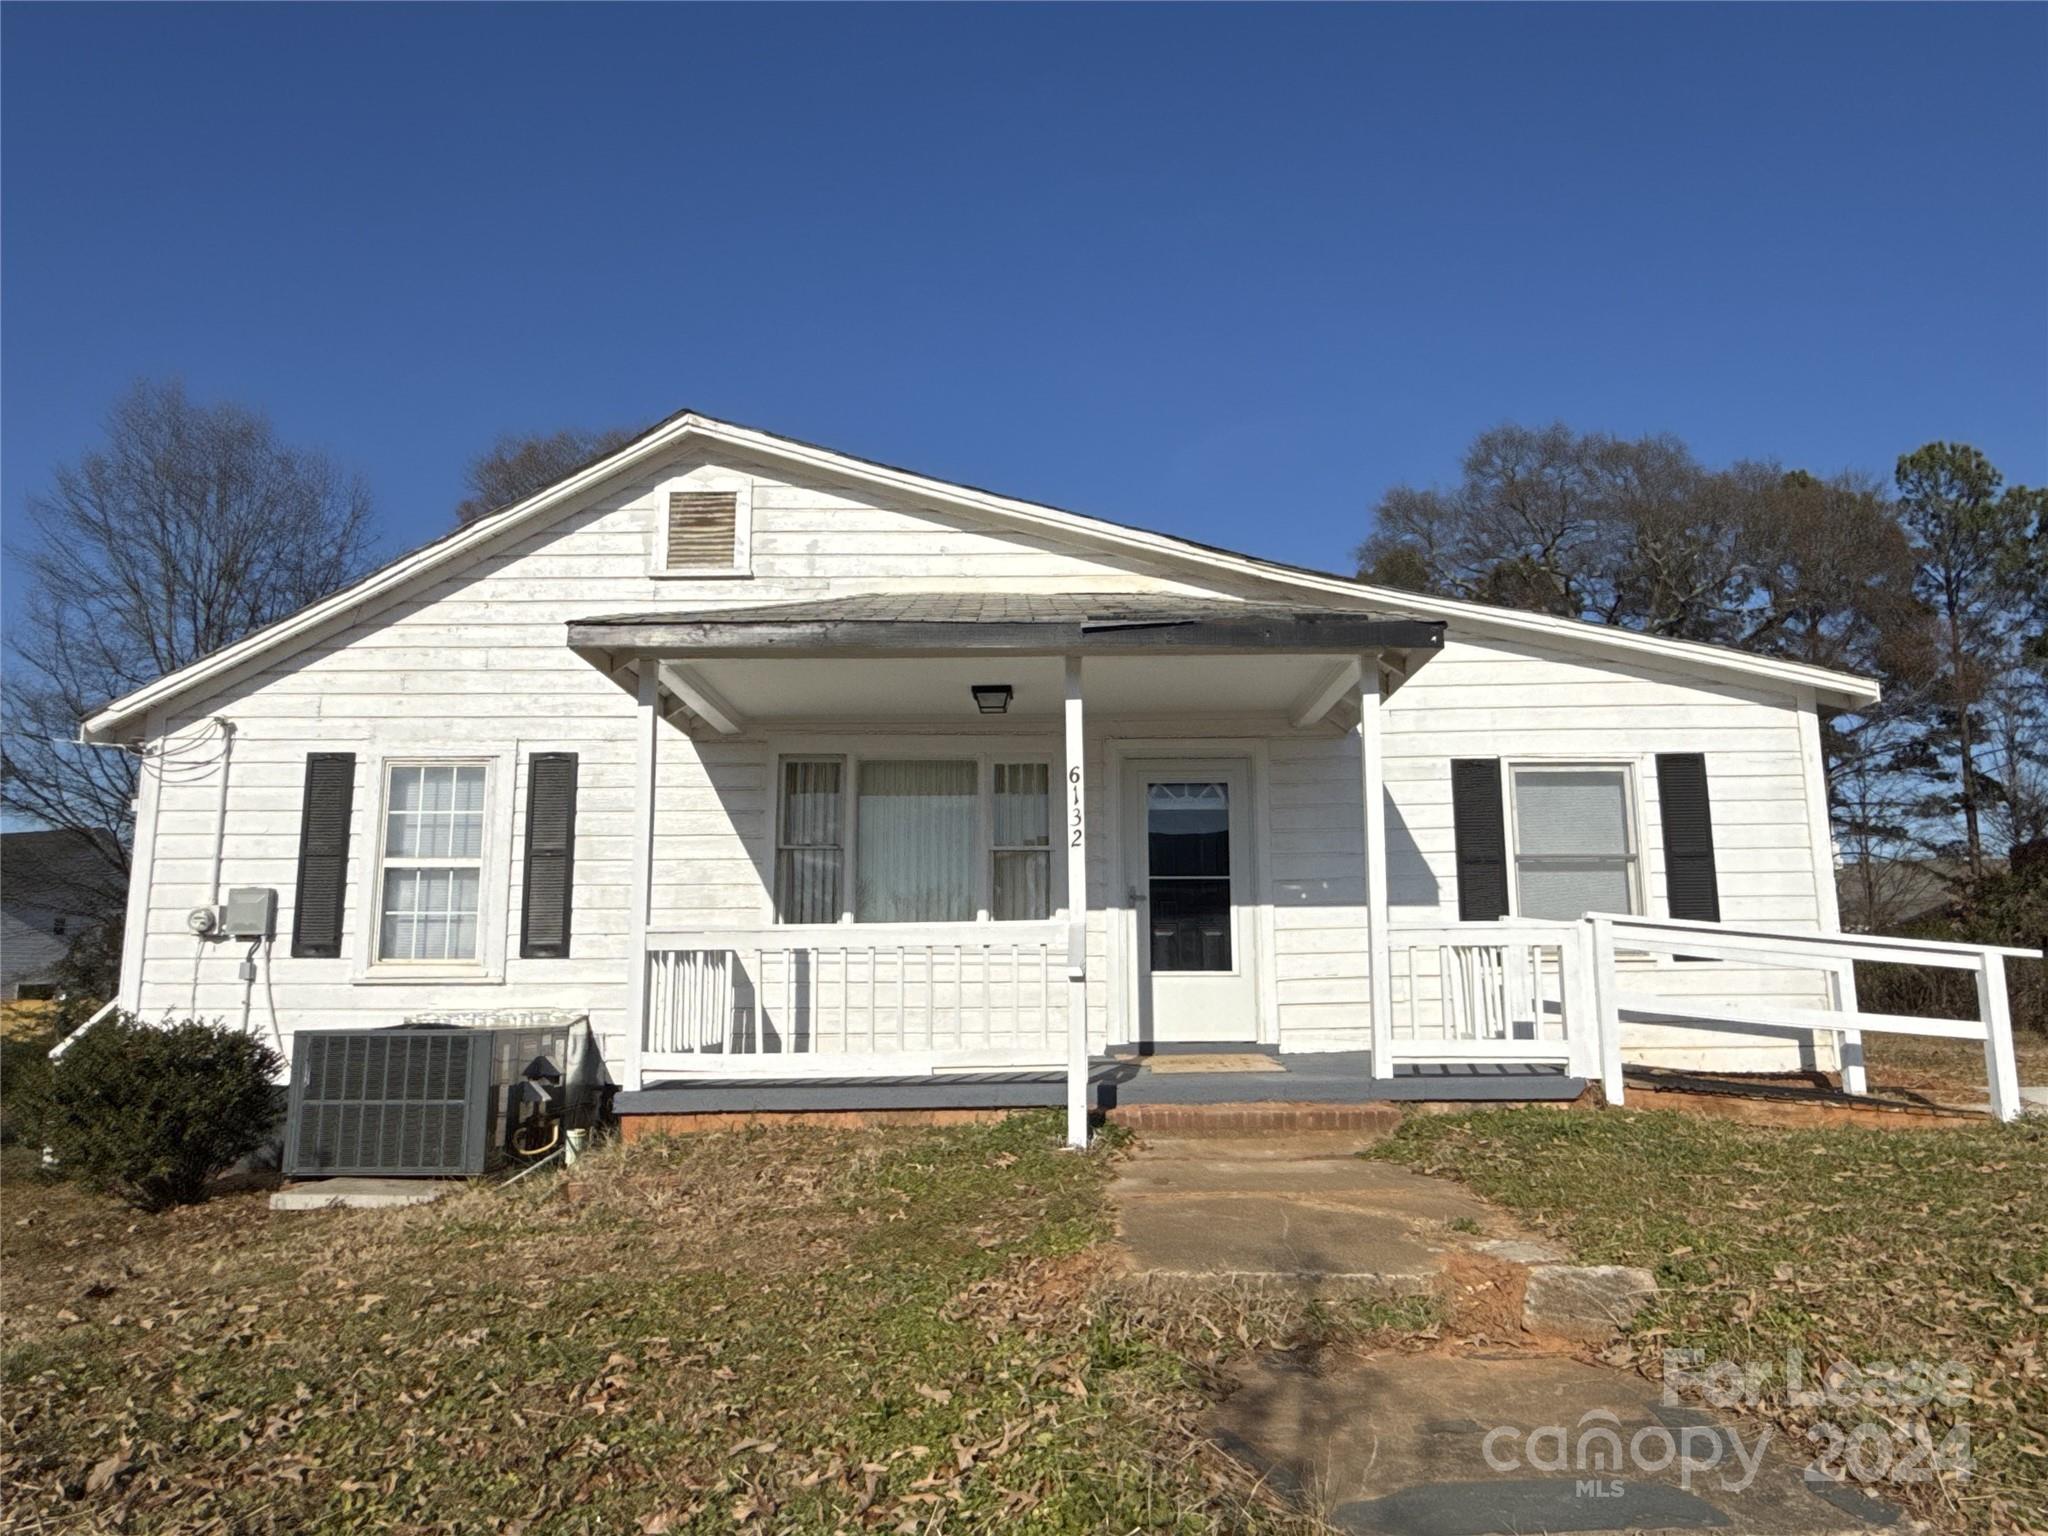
(689, 427)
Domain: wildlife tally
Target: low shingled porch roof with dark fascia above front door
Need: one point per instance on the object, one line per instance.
(1009, 622)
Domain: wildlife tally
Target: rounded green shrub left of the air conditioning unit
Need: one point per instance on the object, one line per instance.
(155, 1111)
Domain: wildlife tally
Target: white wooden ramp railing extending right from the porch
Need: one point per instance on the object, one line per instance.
(1832, 955)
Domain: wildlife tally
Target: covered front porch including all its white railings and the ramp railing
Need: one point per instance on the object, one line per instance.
(990, 843)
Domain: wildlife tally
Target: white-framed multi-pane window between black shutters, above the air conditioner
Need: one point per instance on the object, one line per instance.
(431, 863)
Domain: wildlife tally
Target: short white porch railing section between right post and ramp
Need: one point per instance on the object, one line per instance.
(1500, 992)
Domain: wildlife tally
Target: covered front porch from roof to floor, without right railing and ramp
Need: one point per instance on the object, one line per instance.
(1039, 732)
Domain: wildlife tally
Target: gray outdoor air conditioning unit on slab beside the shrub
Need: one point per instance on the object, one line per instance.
(429, 1101)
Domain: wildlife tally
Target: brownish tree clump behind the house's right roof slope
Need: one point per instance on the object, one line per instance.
(1637, 534)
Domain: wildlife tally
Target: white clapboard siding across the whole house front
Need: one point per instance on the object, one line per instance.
(474, 663)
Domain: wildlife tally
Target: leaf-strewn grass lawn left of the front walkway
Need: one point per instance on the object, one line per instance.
(759, 1330)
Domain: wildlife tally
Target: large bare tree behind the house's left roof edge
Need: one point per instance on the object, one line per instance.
(187, 529)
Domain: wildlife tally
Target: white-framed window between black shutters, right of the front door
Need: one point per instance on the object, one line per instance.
(1574, 841)
